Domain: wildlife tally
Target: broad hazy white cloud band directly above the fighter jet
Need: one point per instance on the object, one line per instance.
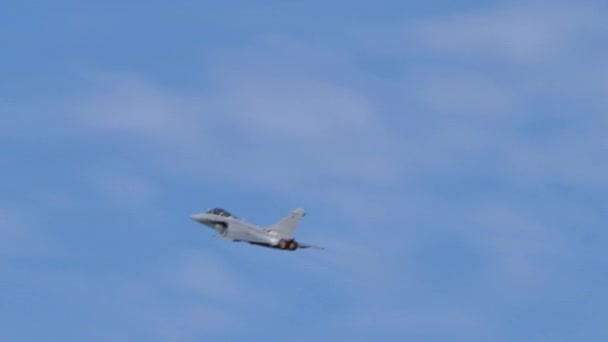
(253, 130)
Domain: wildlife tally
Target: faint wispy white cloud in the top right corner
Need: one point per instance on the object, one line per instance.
(521, 33)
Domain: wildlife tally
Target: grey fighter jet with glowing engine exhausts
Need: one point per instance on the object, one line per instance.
(278, 235)
